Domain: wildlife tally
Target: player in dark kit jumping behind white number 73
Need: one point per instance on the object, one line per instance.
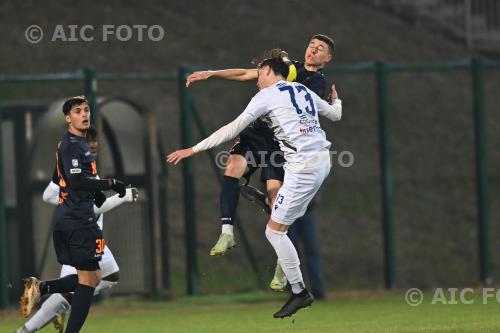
(259, 138)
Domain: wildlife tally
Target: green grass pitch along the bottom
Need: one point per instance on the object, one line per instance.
(345, 312)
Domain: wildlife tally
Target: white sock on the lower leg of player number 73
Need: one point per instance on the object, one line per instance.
(287, 255)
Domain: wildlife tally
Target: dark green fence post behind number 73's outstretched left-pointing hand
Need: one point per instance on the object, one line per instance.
(188, 185)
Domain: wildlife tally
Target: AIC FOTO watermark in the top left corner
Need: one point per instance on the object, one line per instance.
(89, 33)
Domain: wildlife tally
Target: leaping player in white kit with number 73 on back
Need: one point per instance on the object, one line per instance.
(286, 107)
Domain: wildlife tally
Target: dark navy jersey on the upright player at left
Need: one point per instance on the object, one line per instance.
(75, 208)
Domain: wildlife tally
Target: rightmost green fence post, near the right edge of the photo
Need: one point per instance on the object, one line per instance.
(481, 171)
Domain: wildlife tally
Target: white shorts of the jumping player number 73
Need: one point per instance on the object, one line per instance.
(296, 193)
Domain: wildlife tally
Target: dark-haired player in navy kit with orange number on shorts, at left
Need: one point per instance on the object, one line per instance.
(78, 240)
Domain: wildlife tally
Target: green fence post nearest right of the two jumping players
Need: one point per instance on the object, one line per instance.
(386, 174)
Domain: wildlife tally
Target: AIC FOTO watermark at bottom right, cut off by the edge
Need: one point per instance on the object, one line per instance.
(451, 296)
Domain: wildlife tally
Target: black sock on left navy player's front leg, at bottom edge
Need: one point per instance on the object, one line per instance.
(80, 305)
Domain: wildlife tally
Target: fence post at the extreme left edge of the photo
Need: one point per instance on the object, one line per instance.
(4, 291)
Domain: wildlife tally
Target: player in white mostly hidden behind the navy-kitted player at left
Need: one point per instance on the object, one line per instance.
(55, 307)
